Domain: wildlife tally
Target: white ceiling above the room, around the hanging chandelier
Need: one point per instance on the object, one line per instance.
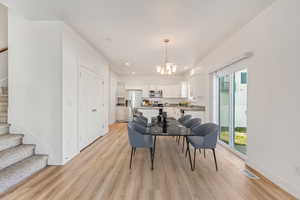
(132, 31)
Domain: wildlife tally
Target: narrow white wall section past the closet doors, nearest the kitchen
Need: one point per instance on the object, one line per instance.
(113, 95)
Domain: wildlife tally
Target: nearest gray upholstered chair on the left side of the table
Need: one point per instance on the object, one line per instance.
(137, 139)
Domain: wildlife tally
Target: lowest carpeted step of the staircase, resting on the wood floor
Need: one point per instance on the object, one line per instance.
(19, 171)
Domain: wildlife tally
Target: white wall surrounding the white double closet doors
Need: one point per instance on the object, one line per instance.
(77, 52)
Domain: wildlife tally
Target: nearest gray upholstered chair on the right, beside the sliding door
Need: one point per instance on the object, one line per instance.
(207, 136)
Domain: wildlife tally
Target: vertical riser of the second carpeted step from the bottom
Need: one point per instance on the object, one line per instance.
(16, 156)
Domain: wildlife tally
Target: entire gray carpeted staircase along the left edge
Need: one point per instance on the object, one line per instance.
(18, 161)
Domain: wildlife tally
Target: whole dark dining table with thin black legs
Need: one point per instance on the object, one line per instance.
(171, 127)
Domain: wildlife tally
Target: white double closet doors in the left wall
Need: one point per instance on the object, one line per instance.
(91, 108)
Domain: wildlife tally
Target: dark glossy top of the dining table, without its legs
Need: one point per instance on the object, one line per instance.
(173, 128)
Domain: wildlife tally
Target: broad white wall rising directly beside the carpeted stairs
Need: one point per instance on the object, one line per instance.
(35, 79)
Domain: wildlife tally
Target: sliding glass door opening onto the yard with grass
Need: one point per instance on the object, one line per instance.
(232, 109)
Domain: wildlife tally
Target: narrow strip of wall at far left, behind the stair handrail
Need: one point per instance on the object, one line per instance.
(3, 44)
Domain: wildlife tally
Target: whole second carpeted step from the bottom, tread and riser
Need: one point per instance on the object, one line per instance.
(15, 154)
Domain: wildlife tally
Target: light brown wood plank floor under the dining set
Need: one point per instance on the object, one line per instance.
(101, 171)
